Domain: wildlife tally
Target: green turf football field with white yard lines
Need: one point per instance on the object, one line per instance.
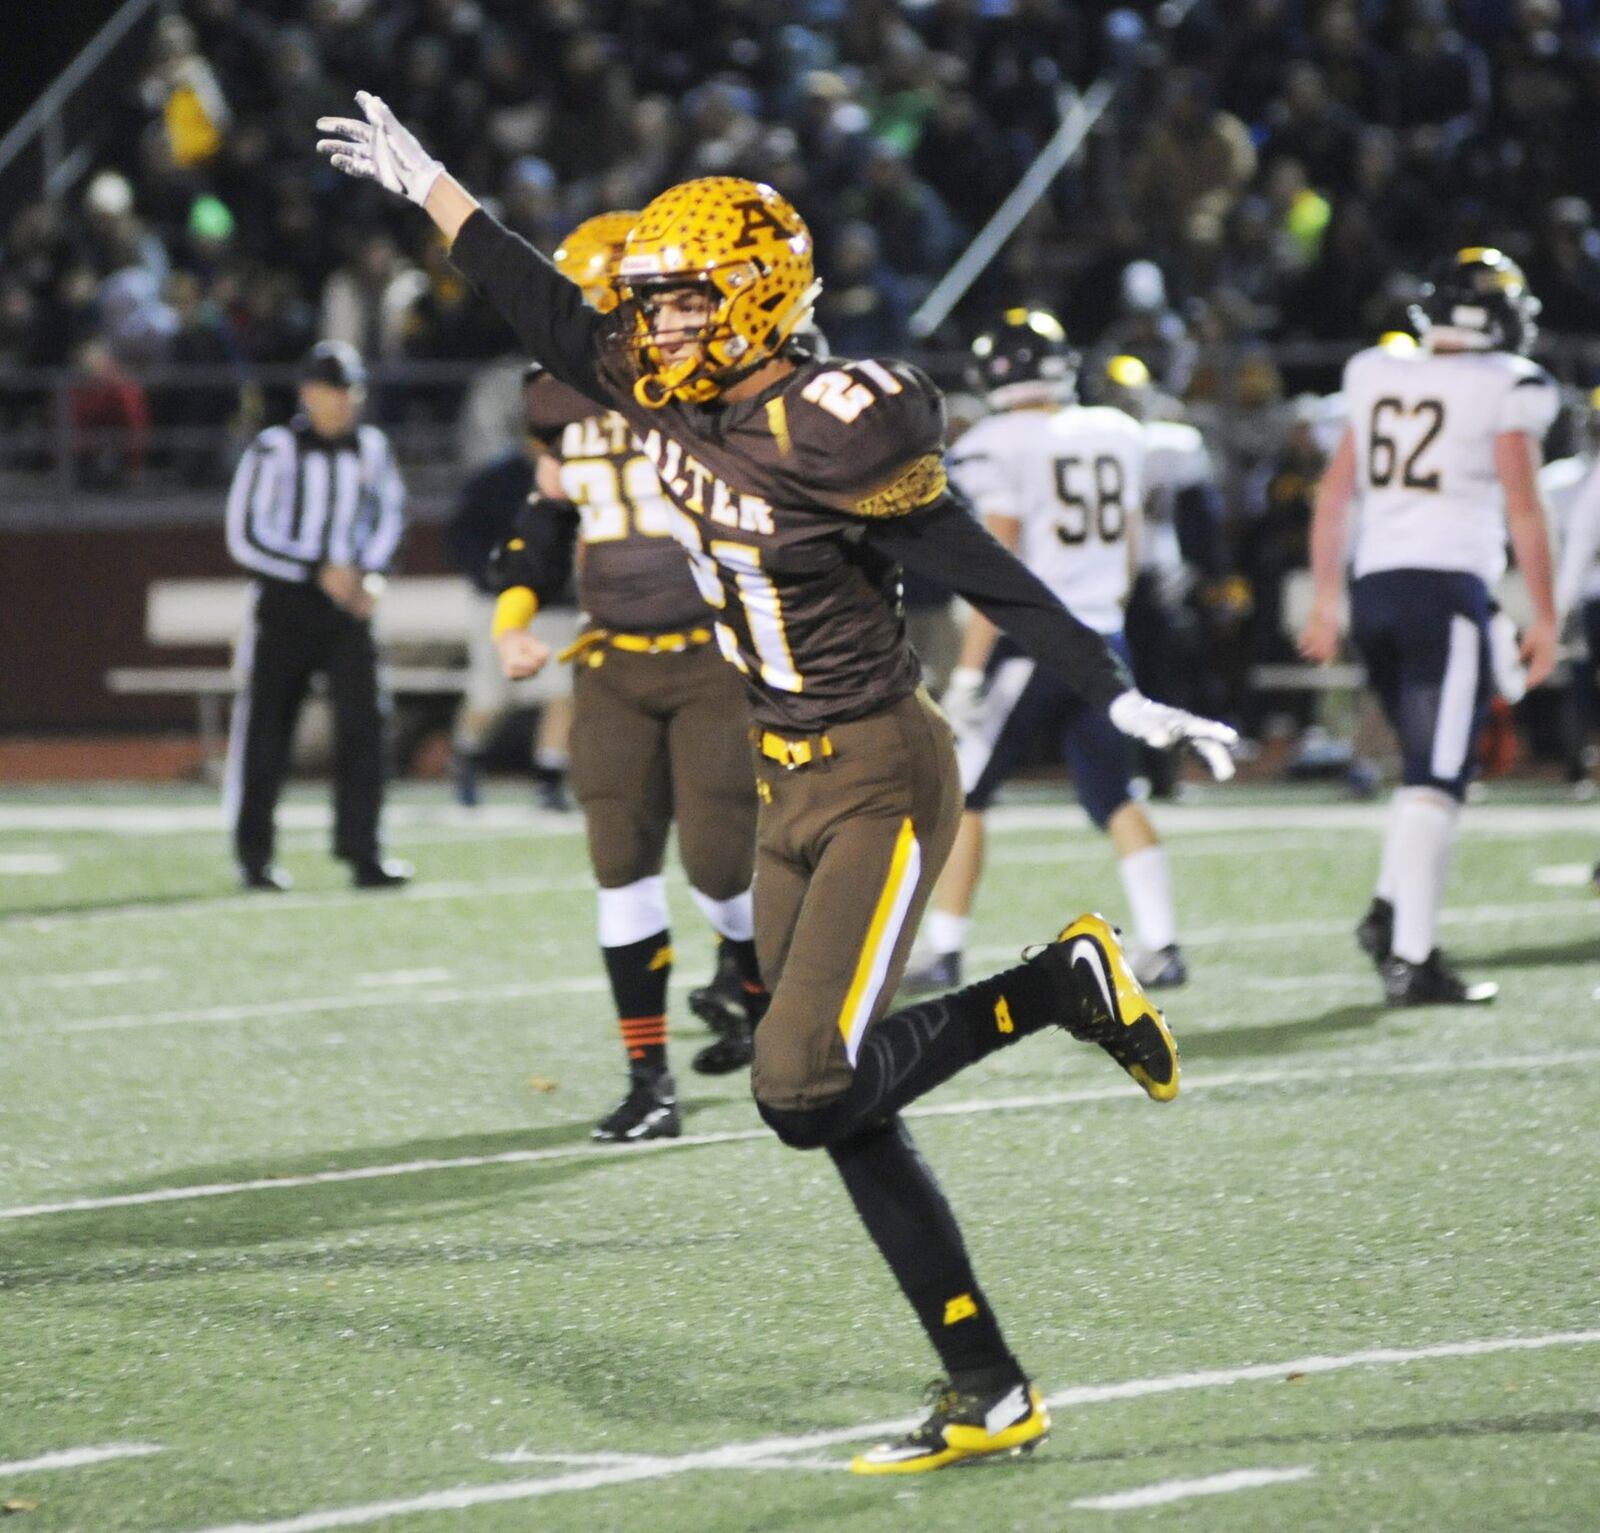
(300, 1227)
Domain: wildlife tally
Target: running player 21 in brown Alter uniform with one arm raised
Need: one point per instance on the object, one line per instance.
(801, 486)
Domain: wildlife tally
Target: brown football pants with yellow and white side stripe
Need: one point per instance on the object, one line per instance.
(849, 849)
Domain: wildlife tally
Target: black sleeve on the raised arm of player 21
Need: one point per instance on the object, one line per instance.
(542, 306)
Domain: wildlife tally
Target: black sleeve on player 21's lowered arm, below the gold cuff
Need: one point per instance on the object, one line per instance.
(946, 543)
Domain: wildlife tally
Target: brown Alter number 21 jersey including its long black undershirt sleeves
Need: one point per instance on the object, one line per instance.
(798, 510)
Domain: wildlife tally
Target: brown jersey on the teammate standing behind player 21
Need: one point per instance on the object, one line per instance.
(631, 574)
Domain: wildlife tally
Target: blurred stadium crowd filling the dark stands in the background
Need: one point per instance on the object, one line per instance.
(1268, 172)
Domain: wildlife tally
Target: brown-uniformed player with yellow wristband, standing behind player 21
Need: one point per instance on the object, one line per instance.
(660, 719)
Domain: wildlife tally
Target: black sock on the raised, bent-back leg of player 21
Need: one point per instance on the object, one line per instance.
(911, 1052)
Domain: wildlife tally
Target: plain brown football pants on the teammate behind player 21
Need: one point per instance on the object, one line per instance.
(660, 738)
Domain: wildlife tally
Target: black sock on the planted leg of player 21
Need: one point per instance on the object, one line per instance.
(913, 1225)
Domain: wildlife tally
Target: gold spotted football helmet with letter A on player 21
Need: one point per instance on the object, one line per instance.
(751, 254)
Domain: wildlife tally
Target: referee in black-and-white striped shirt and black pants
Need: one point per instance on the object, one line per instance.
(316, 516)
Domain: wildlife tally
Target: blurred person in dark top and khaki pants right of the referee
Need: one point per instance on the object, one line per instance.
(484, 518)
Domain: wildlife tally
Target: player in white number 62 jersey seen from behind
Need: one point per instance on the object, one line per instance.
(1442, 454)
